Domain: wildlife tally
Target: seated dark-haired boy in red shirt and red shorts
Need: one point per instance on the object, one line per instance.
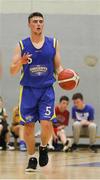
(60, 123)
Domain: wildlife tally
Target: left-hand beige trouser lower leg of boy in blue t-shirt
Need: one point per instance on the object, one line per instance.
(76, 131)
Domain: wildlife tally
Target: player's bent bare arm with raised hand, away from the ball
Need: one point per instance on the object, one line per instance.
(18, 60)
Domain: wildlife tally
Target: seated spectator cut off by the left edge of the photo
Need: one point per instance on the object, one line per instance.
(4, 129)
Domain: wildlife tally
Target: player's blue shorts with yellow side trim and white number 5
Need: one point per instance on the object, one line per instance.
(36, 104)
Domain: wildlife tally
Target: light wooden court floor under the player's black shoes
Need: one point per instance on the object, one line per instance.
(82, 164)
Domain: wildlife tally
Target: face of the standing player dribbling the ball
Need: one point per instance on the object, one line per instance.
(36, 25)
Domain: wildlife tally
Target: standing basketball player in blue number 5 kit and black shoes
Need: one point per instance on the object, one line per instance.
(37, 57)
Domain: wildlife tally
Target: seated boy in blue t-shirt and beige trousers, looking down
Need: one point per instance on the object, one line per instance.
(83, 116)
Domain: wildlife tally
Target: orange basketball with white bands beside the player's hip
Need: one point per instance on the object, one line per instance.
(68, 79)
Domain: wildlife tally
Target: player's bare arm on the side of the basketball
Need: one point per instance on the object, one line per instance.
(57, 59)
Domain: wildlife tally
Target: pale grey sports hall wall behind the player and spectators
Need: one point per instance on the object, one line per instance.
(75, 23)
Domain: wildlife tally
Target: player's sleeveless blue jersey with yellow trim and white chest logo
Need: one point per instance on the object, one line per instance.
(39, 72)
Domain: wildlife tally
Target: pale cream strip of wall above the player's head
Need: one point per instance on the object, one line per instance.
(51, 6)
